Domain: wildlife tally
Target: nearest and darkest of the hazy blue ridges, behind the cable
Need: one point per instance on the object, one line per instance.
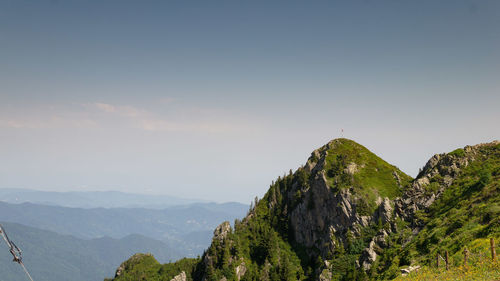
(53, 257)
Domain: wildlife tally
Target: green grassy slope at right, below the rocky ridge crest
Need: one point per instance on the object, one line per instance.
(465, 215)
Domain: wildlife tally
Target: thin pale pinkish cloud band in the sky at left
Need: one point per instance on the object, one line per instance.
(106, 115)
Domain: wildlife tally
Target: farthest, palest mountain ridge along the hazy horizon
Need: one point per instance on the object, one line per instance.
(92, 199)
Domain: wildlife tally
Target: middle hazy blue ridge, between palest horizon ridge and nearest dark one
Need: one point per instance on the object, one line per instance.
(187, 229)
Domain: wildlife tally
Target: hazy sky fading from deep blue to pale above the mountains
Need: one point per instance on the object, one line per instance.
(215, 99)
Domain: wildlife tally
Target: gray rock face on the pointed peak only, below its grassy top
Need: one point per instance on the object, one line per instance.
(333, 214)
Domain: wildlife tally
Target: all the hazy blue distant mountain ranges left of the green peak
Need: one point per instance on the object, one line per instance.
(80, 242)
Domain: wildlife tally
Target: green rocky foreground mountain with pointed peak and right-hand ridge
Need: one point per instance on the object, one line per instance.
(349, 215)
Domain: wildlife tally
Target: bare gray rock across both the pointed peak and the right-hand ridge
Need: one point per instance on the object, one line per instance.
(333, 214)
